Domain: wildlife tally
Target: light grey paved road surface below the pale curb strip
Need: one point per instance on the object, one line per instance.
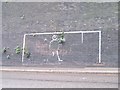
(58, 80)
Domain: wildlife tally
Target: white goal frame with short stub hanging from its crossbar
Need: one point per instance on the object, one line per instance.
(70, 32)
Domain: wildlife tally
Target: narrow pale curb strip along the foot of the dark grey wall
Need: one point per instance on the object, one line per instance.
(99, 71)
